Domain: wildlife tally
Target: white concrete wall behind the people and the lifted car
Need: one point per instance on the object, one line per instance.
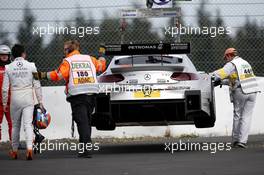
(60, 127)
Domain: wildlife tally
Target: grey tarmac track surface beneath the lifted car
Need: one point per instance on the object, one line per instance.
(142, 158)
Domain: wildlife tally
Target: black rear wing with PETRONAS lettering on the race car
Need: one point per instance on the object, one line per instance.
(147, 49)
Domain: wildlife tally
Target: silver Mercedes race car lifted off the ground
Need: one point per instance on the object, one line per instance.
(153, 85)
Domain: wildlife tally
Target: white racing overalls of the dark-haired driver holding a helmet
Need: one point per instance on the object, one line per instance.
(18, 77)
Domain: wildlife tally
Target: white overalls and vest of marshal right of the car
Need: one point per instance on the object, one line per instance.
(243, 89)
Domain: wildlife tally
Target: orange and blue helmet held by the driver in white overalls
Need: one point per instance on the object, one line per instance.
(41, 118)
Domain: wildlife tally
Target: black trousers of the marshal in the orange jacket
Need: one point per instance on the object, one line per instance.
(82, 107)
